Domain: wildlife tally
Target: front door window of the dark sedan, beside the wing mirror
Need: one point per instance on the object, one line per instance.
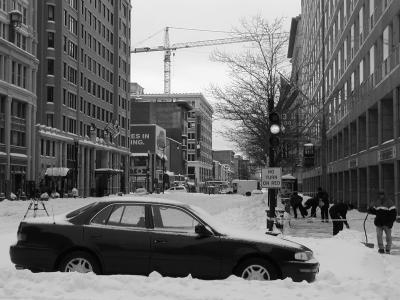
(170, 218)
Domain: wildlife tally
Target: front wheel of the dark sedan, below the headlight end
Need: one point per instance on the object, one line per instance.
(256, 269)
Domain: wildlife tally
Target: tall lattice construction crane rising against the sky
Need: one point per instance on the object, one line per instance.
(167, 48)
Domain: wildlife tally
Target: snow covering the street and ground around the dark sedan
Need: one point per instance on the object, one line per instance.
(348, 269)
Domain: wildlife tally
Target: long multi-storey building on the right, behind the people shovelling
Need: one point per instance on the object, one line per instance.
(350, 70)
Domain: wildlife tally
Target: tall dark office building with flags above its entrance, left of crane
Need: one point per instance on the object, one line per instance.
(83, 92)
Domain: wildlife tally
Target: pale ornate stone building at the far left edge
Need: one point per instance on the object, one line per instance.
(18, 102)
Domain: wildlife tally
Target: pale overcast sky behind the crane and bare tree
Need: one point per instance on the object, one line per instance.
(191, 69)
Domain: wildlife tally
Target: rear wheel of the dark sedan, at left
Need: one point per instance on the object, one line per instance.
(79, 261)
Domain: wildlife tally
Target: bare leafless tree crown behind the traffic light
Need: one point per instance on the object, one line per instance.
(255, 82)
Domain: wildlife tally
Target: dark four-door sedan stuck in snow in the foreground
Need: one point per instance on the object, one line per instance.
(141, 236)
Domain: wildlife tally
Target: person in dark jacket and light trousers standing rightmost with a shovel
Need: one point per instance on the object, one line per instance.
(386, 214)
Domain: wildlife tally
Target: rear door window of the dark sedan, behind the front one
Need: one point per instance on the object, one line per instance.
(128, 216)
